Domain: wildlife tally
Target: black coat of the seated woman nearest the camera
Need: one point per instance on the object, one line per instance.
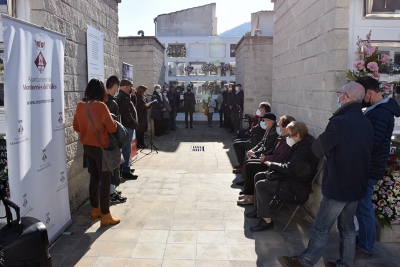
(300, 164)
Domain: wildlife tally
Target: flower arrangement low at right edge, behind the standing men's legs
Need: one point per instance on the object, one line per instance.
(386, 197)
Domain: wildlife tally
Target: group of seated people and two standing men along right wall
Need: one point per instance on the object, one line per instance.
(278, 162)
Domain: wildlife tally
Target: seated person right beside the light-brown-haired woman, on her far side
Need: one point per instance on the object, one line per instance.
(253, 166)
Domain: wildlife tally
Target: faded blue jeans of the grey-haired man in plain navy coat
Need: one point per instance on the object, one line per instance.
(328, 211)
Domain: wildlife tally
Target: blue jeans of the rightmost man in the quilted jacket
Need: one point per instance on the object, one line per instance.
(366, 220)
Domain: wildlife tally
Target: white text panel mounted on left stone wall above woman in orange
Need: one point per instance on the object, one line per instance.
(95, 53)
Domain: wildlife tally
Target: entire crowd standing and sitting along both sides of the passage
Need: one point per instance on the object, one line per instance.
(278, 158)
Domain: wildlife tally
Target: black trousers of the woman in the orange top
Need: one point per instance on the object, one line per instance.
(98, 179)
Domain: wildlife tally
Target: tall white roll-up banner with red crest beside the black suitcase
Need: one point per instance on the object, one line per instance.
(35, 129)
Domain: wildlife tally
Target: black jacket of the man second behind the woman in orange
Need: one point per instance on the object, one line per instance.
(127, 111)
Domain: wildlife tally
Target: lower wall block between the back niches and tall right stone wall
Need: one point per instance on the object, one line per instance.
(254, 70)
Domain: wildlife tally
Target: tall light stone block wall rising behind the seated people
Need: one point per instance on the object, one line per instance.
(310, 61)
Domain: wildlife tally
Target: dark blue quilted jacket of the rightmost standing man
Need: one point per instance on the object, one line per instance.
(381, 115)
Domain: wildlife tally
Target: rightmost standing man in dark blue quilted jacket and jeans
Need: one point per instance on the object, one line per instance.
(381, 113)
